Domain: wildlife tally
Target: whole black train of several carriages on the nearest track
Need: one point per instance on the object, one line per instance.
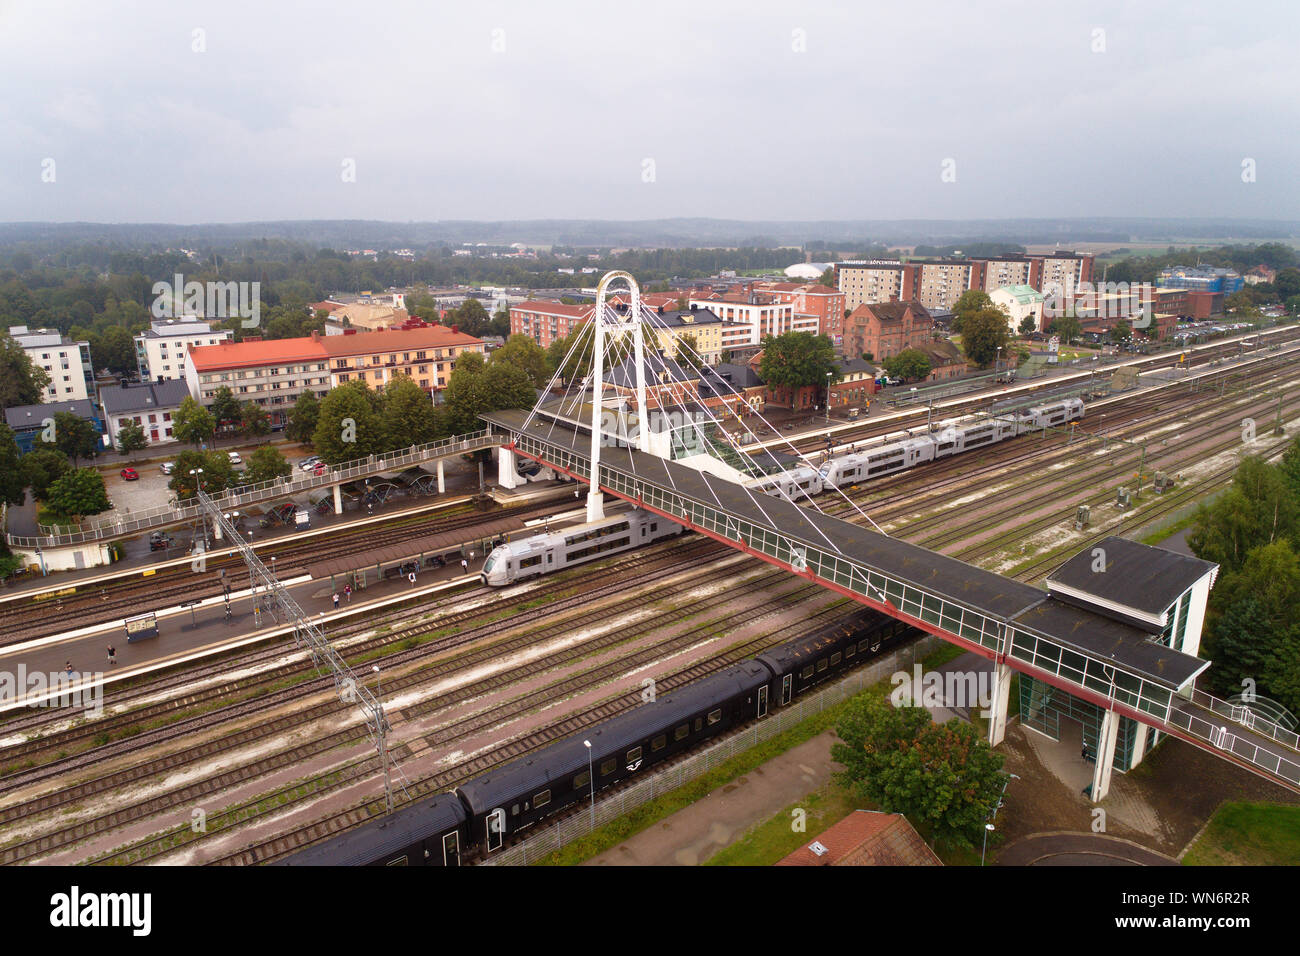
(484, 814)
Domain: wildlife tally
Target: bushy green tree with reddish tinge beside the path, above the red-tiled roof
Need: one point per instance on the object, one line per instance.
(944, 778)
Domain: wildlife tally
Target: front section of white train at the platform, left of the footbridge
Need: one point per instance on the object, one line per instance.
(540, 555)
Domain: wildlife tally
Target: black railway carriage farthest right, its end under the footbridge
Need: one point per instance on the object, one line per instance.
(803, 664)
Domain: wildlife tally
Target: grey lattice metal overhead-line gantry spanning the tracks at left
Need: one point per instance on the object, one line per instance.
(268, 591)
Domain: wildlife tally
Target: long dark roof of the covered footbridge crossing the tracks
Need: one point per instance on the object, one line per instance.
(1020, 605)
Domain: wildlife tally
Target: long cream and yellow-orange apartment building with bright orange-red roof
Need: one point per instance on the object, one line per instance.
(272, 374)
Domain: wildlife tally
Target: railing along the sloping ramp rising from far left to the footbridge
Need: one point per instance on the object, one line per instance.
(263, 491)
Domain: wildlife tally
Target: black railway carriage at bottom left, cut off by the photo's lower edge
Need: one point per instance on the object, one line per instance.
(428, 833)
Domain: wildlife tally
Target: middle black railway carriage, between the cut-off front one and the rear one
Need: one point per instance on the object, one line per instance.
(513, 798)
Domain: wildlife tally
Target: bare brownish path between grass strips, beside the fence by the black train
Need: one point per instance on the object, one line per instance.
(695, 834)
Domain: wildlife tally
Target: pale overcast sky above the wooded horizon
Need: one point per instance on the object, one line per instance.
(193, 113)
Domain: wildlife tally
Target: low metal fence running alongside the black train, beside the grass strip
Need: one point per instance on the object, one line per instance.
(579, 824)
